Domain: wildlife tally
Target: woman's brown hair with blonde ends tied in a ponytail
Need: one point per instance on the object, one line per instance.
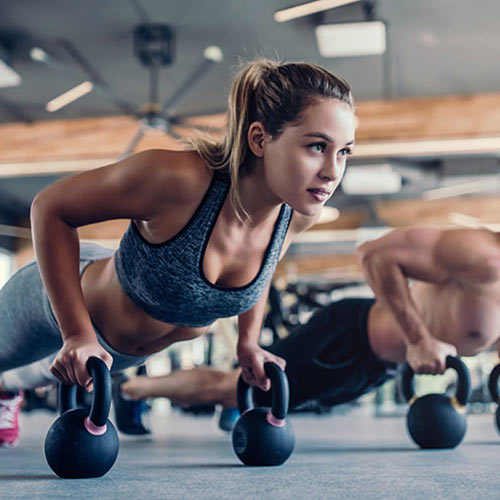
(273, 94)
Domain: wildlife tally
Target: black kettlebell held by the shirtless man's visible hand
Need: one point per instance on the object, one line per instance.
(436, 420)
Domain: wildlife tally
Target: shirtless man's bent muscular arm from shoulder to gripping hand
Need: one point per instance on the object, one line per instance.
(432, 255)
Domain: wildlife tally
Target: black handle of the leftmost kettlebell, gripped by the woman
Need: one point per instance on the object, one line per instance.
(101, 401)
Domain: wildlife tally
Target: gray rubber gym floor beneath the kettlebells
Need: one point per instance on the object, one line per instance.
(351, 456)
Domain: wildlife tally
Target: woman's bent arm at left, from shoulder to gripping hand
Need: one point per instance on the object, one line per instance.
(136, 188)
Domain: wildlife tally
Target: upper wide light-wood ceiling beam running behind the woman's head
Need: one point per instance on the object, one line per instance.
(438, 125)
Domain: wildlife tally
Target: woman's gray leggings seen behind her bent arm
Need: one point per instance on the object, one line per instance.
(29, 333)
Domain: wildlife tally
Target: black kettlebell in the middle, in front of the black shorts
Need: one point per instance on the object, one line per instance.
(263, 436)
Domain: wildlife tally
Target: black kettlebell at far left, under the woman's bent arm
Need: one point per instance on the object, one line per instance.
(79, 444)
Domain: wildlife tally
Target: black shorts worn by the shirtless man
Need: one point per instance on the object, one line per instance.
(330, 356)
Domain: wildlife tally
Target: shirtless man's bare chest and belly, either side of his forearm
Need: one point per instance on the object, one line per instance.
(467, 318)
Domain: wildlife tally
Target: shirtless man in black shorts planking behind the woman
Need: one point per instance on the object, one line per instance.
(451, 306)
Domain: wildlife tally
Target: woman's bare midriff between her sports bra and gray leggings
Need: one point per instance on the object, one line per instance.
(125, 326)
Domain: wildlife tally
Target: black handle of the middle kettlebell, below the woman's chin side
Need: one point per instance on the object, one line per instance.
(279, 386)
